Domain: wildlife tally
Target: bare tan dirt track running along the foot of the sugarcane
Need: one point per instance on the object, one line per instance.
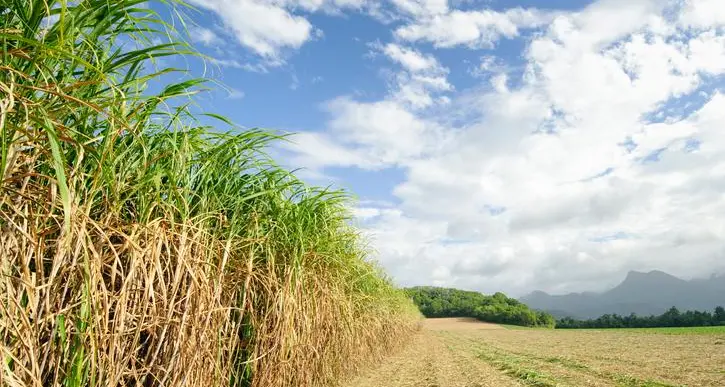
(430, 362)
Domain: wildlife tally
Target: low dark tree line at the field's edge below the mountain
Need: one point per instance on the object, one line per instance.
(672, 318)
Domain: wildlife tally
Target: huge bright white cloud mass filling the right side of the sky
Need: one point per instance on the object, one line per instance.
(607, 156)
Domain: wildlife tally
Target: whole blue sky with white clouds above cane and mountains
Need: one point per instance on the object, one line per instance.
(494, 145)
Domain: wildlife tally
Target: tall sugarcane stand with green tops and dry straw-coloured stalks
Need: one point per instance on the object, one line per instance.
(141, 246)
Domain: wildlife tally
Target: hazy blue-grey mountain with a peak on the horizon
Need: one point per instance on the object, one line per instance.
(649, 293)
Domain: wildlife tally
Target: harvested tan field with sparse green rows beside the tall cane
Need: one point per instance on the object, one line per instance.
(467, 353)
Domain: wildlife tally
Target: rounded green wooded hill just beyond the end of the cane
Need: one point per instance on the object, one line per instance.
(497, 308)
